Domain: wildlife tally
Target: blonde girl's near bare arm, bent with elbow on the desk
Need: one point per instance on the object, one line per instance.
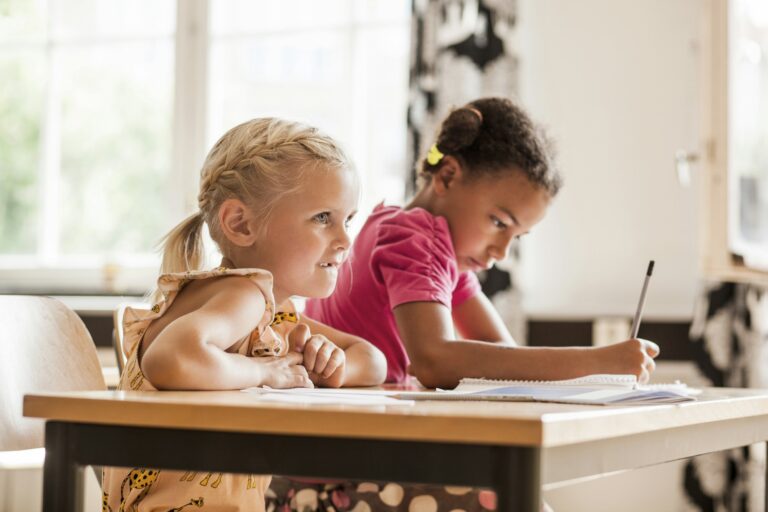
(190, 352)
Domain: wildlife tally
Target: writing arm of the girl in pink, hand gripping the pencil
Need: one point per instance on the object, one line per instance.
(438, 359)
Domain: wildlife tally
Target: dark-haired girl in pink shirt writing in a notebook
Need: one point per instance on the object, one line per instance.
(409, 286)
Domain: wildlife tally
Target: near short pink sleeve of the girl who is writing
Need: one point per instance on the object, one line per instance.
(413, 259)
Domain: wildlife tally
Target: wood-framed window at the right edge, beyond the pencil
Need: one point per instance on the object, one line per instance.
(734, 191)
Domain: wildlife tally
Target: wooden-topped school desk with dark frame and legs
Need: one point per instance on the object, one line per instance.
(511, 447)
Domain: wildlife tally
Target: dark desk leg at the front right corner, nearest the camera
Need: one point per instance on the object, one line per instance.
(517, 480)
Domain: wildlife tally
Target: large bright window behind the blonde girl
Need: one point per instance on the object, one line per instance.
(110, 106)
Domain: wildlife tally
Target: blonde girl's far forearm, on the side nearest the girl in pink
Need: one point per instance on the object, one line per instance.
(365, 364)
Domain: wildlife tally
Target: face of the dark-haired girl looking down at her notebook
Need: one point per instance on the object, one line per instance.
(487, 214)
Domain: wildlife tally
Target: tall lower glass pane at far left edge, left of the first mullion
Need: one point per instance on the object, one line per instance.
(21, 110)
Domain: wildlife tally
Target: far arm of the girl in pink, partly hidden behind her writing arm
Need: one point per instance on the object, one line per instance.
(477, 319)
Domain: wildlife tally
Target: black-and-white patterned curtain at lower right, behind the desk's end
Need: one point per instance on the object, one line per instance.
(729, 334)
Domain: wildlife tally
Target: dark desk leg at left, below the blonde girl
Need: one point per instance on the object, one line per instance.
(62, 477)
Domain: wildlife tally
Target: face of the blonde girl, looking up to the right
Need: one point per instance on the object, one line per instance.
(307, 236)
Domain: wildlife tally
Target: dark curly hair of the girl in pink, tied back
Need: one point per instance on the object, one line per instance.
(492, 136)
